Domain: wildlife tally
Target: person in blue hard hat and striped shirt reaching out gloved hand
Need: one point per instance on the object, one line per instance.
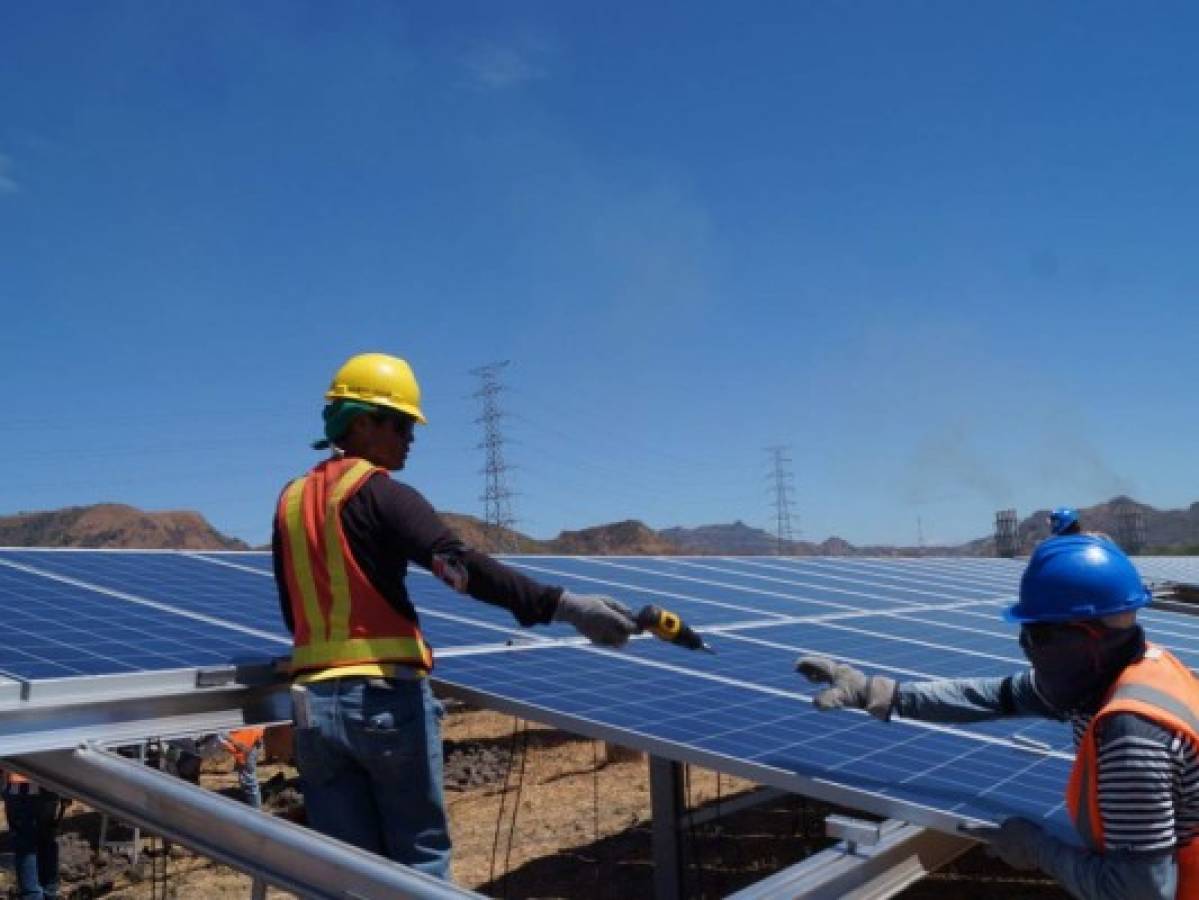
(1134, 794)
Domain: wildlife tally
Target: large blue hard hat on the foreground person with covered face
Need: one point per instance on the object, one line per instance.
(1077, 577)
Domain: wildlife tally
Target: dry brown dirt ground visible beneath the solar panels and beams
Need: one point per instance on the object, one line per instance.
(535, 813)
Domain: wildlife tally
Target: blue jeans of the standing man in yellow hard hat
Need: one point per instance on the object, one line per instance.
(371, 764)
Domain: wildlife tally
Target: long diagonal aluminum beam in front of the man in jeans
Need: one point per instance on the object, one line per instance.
(279, 853)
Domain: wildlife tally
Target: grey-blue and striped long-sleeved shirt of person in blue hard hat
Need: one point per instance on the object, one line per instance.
(1148, 786)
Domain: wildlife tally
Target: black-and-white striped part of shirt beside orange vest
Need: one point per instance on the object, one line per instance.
(1148, 783)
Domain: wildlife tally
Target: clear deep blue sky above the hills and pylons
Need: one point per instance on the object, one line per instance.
(943, 250)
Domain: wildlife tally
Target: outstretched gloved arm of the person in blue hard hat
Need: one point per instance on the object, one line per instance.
(944, 700)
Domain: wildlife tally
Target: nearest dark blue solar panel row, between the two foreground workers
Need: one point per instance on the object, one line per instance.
(899, 762)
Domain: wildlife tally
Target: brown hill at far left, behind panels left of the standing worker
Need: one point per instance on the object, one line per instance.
(115, 525)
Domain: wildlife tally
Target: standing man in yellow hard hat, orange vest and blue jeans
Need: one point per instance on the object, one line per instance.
(369, 741)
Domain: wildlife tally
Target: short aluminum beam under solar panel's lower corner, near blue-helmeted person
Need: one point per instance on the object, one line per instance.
(905, 855)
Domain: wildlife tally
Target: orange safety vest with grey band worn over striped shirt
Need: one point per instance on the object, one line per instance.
(1162, 690)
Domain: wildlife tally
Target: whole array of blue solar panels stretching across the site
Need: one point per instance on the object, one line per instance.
(87, 614)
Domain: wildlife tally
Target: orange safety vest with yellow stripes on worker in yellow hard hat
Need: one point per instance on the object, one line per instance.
(341, 619)
